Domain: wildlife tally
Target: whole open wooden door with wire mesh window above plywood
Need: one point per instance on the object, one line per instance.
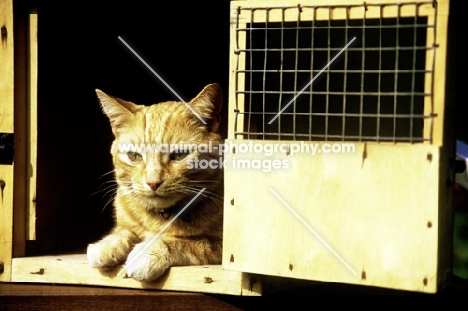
(351, 182)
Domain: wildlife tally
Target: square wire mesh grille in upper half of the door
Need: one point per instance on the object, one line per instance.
(376, 90)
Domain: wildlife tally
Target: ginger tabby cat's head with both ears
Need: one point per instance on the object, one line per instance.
(156, 147)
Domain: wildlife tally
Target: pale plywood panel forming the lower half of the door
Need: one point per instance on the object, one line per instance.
(374, 213)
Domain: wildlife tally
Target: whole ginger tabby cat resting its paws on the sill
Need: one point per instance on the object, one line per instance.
(153, 186)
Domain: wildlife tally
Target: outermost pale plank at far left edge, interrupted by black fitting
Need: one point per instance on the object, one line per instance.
(6, 126)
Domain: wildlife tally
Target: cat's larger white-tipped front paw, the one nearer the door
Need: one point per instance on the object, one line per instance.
(147, 262)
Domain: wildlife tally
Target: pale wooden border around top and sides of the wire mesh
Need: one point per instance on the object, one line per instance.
(356, 10)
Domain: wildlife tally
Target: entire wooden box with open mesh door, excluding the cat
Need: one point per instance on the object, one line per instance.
(379, 215)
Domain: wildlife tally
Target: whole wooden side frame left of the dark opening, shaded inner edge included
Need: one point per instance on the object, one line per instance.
(18, 114)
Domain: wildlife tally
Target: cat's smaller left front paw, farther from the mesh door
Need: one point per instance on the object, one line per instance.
(104, 255)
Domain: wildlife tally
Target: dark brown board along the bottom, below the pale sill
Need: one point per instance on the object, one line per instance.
(59, 297)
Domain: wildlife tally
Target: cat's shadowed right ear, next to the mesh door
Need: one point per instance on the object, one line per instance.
(208, 105)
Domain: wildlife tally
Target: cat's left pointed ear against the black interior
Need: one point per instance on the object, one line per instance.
(118, 110)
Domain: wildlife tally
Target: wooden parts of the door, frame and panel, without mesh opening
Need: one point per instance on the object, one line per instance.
(392, 237)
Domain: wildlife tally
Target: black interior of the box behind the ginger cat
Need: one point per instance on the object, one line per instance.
(185, 42)
